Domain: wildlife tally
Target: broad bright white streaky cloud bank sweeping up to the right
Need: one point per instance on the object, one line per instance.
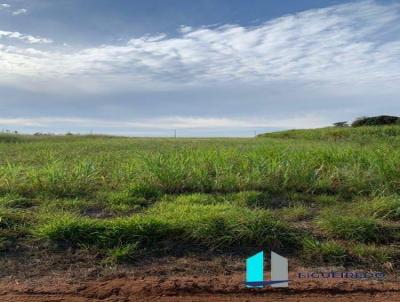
(352, 44)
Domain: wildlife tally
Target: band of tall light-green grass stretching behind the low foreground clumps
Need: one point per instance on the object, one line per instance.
(84, 167)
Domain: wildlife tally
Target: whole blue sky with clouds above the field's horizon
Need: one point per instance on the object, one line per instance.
(204, 67)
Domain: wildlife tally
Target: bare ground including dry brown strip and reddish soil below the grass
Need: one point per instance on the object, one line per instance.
(75, 278)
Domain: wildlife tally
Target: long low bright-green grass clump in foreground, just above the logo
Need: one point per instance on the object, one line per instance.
(219, 226)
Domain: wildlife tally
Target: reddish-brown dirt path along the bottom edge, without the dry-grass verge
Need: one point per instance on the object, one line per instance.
(168, 289)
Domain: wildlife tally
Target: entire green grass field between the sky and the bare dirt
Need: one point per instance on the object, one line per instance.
(324, 197)
